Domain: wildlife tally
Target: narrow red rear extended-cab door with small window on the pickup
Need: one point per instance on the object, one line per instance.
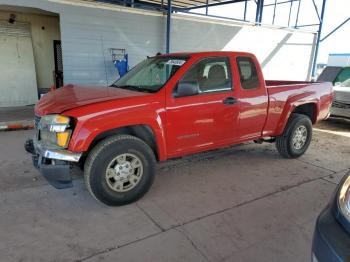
(253, 98)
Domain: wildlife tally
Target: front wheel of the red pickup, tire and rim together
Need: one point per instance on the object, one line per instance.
(119, 170)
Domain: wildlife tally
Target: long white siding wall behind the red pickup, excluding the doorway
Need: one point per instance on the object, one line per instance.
(87, 34)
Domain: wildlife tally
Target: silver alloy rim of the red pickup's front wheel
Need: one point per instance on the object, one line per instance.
(124, 172)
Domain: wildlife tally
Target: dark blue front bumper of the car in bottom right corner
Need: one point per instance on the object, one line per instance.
(331, 242)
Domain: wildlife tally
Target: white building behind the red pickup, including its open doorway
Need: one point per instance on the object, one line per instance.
(88, 30)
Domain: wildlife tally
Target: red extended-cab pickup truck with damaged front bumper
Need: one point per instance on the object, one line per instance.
(169, 106)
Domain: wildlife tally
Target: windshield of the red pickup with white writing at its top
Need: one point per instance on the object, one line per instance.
(151, 74)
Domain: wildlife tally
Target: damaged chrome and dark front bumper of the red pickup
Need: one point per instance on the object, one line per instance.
(53, 164)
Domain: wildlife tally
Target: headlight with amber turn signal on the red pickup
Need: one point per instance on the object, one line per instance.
(54, 130)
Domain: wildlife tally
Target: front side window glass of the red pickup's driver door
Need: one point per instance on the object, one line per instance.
(211, 75)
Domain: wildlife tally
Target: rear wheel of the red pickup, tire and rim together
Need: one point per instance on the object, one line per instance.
(296, 137)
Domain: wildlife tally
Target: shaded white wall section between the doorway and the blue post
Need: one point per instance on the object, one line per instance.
(87, 37)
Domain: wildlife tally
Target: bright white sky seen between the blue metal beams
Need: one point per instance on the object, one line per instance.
(335, 13)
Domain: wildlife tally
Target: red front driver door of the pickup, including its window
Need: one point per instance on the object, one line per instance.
(206, 119)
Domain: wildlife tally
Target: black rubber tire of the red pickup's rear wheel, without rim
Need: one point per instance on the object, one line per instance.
(284, 143)
